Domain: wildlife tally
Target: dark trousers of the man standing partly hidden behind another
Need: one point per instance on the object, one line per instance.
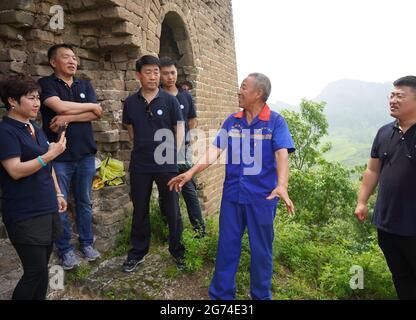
(190, 197)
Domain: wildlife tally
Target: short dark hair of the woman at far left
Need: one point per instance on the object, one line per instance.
(16, 86)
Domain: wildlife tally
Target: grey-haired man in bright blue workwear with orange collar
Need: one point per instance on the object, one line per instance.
(258, 144)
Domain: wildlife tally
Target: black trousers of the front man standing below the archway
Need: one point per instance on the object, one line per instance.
(141, 190)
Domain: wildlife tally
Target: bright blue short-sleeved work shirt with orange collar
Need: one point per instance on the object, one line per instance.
(268, 132)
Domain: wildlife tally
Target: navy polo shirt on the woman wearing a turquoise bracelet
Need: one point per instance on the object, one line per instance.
(31, 196)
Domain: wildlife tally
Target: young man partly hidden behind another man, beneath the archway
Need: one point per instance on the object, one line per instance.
(168, 78)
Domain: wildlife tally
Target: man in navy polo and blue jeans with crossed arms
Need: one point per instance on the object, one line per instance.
(69, 102)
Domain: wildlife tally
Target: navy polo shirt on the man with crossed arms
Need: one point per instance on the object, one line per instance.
(79, 135)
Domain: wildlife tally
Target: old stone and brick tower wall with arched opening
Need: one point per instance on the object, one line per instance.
(109, 36)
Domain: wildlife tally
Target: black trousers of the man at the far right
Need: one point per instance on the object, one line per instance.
(400, 253)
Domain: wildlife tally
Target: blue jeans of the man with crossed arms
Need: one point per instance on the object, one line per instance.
(78, 174)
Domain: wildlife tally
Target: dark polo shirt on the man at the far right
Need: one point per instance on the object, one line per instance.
(395, 209)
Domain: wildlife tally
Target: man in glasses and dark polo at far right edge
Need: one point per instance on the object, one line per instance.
(393, 168)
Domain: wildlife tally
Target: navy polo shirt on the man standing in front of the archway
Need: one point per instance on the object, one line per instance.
(162, 113)
